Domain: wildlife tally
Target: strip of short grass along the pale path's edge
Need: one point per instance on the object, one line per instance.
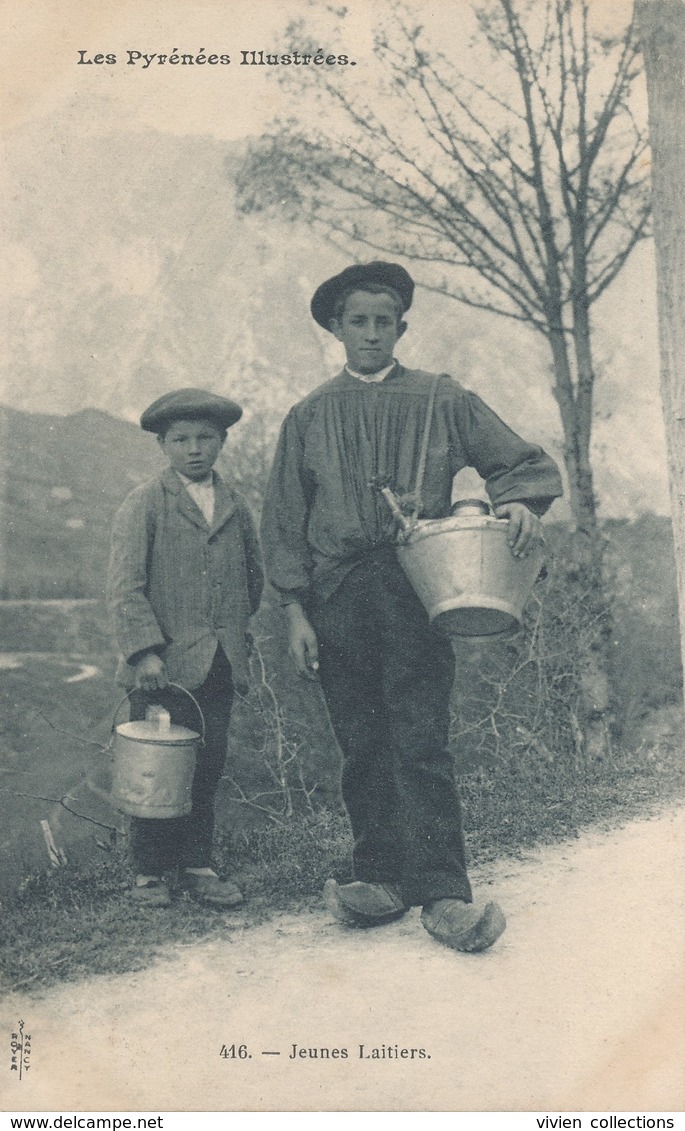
(74, 923)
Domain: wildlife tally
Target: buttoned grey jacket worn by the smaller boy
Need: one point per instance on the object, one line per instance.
(181, 586)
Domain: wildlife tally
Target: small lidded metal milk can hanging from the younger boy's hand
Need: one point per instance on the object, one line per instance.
(154, 764)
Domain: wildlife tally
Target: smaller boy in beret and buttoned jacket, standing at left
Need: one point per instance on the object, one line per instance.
(185, 579)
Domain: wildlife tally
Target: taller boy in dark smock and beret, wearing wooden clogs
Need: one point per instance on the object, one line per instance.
(353, 617)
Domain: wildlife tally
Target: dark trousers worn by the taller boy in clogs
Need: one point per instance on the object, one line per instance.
(387, 678)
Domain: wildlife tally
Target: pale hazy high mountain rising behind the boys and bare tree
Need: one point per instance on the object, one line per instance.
(129, 273)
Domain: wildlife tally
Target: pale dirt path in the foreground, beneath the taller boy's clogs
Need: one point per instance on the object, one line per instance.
(579, 1007)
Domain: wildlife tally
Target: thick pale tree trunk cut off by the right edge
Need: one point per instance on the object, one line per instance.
(663, 30)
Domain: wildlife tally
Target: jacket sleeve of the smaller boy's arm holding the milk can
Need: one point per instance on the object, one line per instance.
(136, 628)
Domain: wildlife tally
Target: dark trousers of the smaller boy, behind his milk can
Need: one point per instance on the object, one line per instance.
(161, 844)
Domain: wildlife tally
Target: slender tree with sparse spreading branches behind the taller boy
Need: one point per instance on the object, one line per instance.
(522, 194)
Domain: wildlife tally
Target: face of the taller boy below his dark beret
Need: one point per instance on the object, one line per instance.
(369, 330)
